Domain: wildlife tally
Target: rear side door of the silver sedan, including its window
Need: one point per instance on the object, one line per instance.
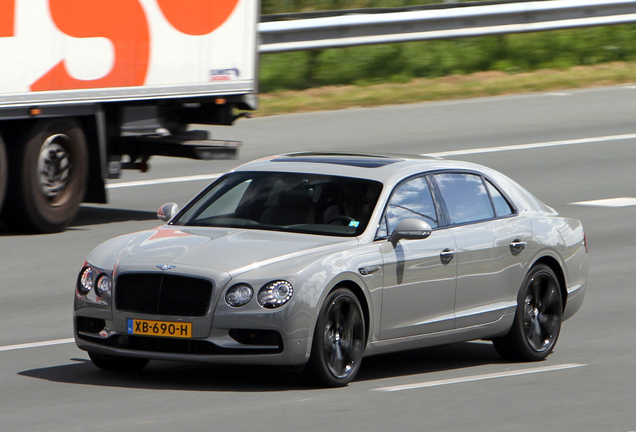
(490, 237)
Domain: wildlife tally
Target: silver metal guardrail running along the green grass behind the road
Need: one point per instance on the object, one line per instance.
(368, 29)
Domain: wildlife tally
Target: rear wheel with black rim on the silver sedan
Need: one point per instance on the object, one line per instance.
(537, 322)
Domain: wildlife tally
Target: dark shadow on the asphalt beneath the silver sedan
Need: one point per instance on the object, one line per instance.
(159, 375)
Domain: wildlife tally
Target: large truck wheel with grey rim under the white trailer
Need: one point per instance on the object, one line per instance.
(49, 181)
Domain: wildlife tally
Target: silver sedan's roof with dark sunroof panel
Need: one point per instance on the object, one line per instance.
(385, 168)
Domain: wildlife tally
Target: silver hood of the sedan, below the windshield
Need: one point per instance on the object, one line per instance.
(233, 251)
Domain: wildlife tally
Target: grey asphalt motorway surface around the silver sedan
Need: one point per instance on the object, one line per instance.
(579, 148)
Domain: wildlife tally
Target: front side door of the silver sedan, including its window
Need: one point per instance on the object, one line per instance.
(419, 275)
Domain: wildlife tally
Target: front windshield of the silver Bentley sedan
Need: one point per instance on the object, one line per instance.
(307, 203)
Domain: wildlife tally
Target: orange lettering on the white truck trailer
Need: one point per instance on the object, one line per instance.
(124, 23)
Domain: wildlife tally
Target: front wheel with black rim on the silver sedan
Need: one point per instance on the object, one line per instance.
(339, 341)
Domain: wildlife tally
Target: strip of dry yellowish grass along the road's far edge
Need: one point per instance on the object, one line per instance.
(478, 84)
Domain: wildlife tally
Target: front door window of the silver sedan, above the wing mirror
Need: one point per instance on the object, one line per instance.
(411, 200)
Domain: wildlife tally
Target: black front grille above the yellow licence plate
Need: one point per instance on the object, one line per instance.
(159, 294)
